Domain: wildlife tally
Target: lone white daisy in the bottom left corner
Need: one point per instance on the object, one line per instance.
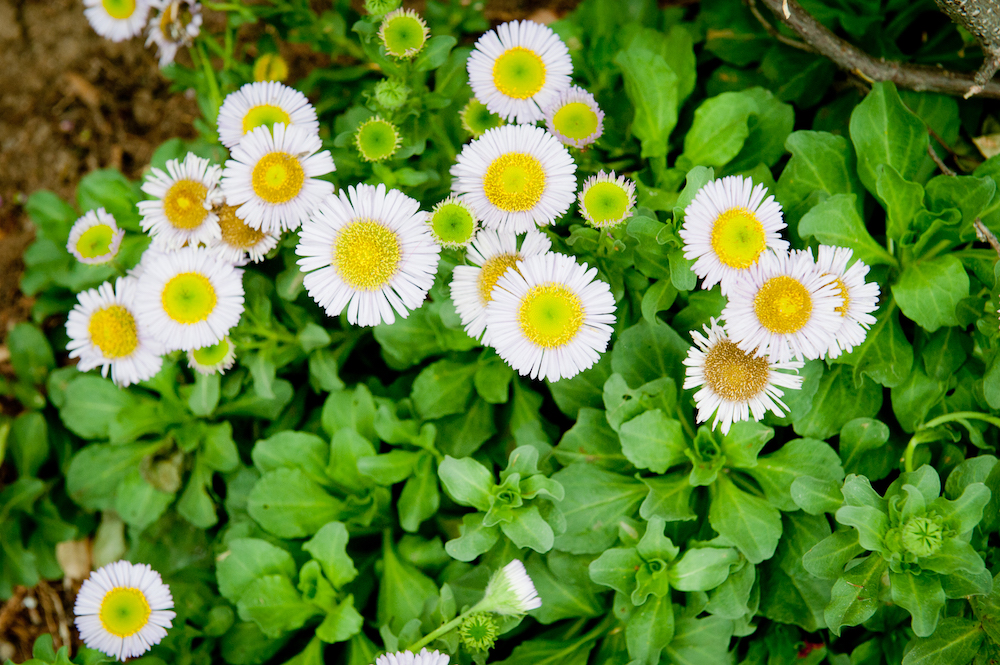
(123, 609)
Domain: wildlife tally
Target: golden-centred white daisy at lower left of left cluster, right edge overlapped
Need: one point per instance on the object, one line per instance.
(104, 332)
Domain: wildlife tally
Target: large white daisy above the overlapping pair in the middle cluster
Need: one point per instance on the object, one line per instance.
(516, 177)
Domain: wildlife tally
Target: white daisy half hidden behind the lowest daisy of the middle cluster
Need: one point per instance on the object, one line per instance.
(492, 253)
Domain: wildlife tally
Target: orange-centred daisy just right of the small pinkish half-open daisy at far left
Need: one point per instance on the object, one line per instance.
(181, 214)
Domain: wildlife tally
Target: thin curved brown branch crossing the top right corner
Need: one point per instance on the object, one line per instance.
(851, 58)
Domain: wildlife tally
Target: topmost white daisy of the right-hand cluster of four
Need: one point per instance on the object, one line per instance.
(727, 227)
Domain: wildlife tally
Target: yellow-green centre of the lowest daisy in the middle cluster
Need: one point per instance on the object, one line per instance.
(550, 315)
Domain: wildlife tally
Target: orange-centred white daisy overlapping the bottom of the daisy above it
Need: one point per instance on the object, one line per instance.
(273, 175)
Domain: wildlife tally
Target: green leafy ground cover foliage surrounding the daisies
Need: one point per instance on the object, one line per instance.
(345, 491)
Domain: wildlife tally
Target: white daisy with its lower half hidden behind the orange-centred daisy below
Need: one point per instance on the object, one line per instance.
(263, 104)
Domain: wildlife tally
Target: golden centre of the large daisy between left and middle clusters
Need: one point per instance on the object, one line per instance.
(366, 254)
